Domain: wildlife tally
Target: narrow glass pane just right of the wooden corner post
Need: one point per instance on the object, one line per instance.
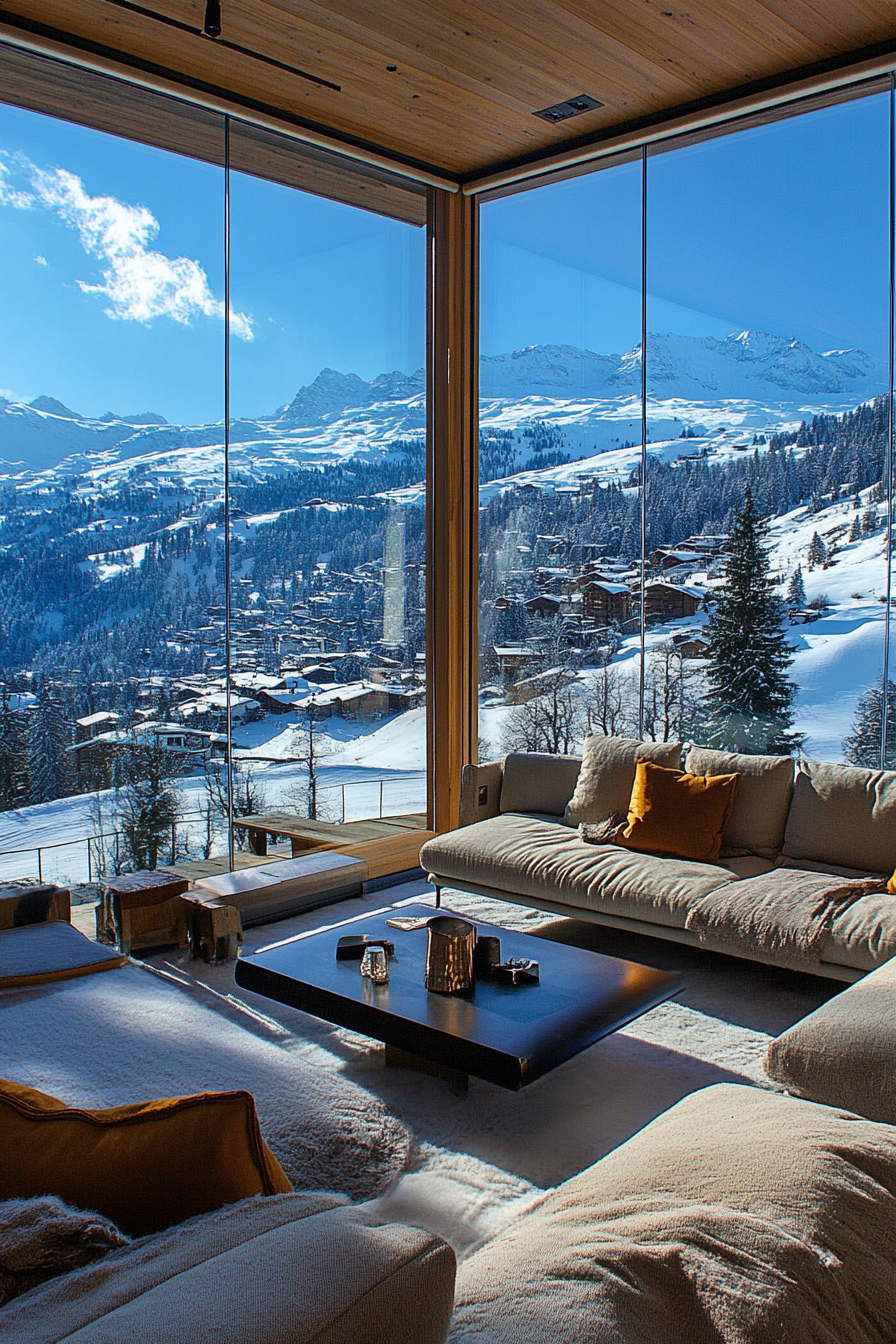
(559, 464)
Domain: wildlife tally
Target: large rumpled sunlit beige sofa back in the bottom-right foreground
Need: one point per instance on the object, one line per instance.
(740, 1217)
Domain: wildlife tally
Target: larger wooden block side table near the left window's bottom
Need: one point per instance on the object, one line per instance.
(143, 911)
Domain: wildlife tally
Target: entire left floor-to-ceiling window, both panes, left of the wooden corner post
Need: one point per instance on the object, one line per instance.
(212, 476)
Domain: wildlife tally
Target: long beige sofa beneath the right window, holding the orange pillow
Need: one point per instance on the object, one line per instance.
(797, 831)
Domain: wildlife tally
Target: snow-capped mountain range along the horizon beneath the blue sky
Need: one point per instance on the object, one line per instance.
(345, 416)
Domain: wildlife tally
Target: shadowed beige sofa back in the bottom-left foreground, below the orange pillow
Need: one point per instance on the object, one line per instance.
(281, 1271)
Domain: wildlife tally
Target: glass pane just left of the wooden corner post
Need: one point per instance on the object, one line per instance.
(328, 467)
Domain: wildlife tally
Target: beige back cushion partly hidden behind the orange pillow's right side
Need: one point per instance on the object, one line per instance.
(762, 799)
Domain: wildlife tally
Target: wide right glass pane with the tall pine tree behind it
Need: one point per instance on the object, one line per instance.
(768, 372)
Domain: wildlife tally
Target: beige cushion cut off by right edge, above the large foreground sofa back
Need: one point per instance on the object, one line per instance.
(844, 1054)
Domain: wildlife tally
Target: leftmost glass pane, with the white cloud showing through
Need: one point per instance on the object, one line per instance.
(112, 474)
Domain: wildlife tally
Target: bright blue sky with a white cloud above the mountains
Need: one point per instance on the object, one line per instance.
(112, 264)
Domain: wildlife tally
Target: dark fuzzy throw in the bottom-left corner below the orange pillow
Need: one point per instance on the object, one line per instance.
(41, 1238)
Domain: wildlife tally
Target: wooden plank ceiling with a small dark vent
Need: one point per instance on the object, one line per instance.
(453, 84)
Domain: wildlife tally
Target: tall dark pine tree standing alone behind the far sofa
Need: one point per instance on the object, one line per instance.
(750, 696)
